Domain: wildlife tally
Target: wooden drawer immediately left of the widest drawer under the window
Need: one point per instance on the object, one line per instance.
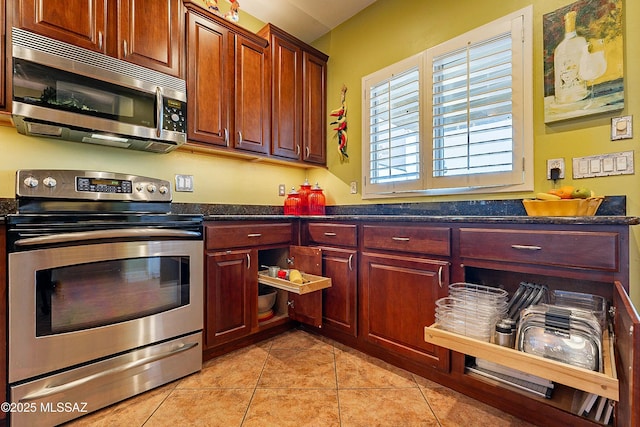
(431, 240)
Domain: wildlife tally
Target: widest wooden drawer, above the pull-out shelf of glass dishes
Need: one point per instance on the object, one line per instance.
(573, 249)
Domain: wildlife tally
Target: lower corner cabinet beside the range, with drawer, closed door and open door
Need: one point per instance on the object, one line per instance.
(234, 255)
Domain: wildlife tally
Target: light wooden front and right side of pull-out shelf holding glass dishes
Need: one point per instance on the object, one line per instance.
(600, 383)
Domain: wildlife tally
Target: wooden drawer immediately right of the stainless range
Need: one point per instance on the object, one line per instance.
(247, 235)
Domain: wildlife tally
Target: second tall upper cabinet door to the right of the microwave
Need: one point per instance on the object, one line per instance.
(252, 99)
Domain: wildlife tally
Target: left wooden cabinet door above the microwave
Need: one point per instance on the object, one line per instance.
(79, 22)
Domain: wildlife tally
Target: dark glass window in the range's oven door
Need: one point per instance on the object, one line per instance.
(84, 296)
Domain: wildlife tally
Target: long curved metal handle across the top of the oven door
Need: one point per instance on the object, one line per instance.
(105, 234)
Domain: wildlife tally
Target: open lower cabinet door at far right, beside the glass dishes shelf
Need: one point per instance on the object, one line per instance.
(627, 335)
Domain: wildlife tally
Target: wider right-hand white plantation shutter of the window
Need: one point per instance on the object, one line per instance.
(475, 84)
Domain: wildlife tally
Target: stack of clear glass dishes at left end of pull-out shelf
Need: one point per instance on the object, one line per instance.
(471, 310)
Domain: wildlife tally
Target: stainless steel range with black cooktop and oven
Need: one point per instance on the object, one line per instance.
(105, 292)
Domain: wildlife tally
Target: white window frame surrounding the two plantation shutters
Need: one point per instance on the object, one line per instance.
(520, 24)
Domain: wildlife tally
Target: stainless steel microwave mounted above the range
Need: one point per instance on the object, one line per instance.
(70, 93)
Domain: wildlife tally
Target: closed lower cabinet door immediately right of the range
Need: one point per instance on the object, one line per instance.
(231, 295)
